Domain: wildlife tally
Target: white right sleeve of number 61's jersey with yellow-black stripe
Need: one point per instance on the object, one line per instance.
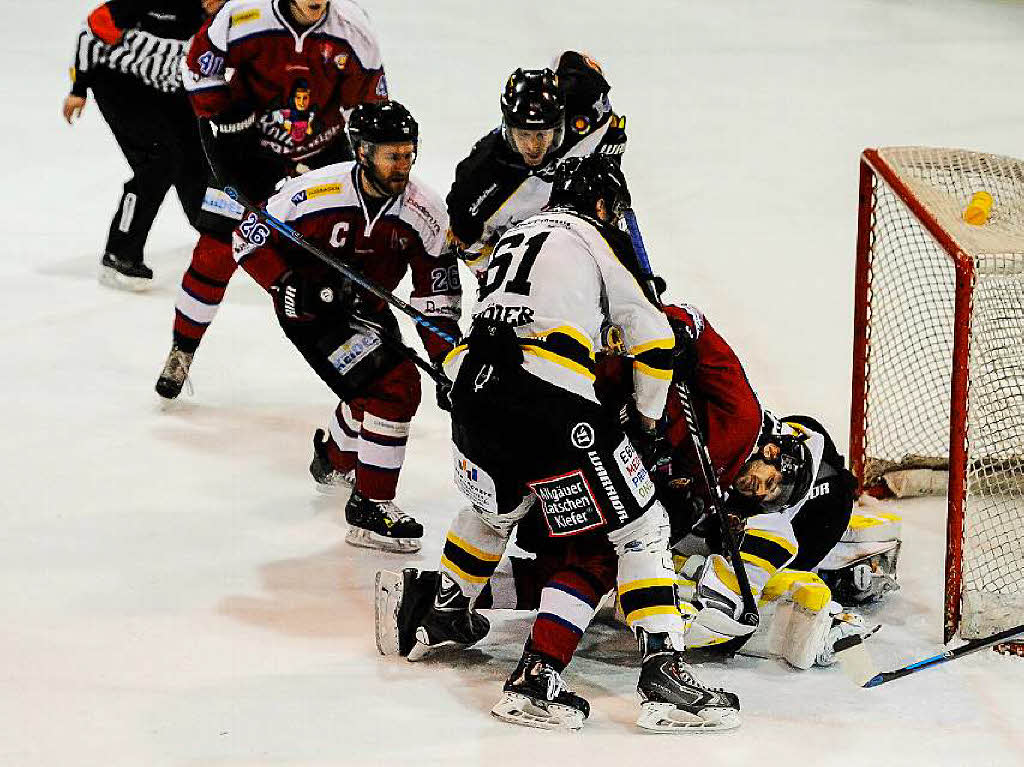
(647, 333)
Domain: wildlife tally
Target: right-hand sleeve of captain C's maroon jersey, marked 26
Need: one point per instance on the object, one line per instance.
(437, 288)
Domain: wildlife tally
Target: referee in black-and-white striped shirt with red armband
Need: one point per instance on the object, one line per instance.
(130, 54)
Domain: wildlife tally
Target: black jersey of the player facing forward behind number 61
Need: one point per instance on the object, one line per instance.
(494, 189)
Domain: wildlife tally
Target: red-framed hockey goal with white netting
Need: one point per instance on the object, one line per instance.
(938, 369)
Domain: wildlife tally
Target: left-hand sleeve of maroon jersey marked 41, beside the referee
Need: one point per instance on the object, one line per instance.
(204, 69)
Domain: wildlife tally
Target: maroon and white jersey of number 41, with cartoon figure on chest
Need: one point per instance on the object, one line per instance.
(250, 57)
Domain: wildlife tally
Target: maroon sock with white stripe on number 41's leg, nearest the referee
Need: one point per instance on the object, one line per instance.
(202, 290)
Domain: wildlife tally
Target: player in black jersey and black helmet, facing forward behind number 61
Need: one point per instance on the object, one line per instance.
(546, 116)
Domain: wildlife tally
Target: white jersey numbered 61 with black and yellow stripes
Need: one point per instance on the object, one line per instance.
(557, 280)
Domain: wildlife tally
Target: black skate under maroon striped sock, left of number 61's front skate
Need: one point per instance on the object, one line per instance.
(536, 696)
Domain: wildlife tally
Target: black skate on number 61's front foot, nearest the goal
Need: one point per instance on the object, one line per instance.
(673, 700)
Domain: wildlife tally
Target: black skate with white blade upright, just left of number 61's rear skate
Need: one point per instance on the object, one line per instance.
(401, 602)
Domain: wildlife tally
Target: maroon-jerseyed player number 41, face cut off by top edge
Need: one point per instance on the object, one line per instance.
(294, 62)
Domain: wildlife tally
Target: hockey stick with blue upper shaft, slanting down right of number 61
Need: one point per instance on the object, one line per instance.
(750, 615)
